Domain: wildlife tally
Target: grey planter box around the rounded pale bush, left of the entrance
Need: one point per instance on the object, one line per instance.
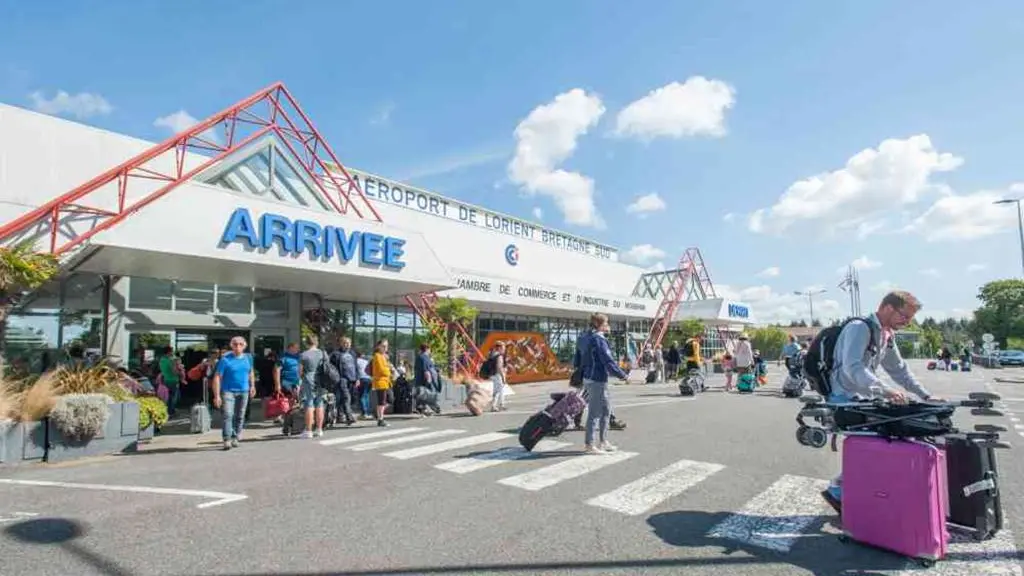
(120, 435)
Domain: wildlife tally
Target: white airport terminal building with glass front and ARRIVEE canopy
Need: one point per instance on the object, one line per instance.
(248, 245)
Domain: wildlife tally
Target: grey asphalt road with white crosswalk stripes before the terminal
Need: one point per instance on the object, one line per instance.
(715, 485)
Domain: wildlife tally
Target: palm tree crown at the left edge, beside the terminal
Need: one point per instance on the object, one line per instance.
(22, 270)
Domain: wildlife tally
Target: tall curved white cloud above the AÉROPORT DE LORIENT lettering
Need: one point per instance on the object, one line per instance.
(546, 139)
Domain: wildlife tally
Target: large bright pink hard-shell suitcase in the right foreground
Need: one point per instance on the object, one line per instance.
(894, 497)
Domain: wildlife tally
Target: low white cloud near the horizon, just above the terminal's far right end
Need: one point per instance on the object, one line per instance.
(774, 308)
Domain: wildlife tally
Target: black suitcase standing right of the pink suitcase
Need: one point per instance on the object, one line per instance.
(974, 487)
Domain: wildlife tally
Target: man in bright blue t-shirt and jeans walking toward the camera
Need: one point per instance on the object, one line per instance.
(234, 386)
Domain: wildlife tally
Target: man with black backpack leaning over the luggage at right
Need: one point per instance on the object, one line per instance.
(842, 362)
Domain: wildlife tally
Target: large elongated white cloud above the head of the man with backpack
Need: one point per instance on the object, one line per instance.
(865, 195)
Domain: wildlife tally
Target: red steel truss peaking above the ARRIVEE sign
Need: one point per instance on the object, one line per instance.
(272, 111)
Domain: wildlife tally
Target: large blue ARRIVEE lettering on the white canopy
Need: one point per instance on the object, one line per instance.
(322, 242)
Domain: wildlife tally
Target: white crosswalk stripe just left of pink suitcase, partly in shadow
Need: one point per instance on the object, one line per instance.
(777, 518)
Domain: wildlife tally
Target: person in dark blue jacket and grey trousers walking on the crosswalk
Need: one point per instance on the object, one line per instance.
(595, 360)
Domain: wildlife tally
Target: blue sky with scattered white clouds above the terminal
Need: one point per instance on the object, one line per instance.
(433, 93)
